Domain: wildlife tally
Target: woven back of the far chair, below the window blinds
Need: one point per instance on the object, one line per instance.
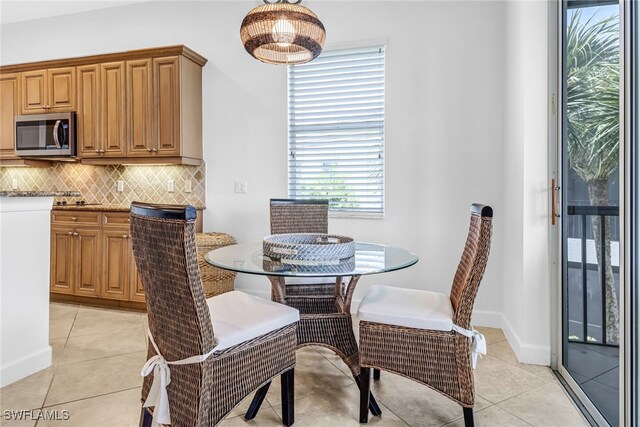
(299, 216)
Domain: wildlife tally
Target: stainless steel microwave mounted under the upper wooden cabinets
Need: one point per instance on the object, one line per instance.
(46, 135)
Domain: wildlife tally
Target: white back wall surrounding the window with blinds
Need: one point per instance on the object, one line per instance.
(446, 87)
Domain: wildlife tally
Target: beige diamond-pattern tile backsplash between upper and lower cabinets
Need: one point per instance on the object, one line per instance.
(98, 184)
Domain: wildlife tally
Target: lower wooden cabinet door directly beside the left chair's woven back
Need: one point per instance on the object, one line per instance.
(115, 254)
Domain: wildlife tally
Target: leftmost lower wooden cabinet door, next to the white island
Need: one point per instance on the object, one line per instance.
(62, 261)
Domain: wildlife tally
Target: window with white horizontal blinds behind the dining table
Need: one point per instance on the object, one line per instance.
(336, 130)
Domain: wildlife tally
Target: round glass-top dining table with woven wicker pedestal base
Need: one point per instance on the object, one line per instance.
(324, 320)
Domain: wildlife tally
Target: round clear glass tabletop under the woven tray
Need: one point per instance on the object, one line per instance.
(370, 258)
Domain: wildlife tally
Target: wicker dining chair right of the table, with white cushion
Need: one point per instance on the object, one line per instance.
(425, 335)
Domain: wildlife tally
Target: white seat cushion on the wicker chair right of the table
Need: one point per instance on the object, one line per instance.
(411, 308)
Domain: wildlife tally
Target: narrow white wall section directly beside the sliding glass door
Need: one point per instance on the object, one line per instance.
(525, 263)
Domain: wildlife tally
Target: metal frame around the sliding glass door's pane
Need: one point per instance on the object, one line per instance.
(556, 97)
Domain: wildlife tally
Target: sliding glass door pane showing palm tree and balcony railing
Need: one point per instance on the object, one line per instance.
(590, 194)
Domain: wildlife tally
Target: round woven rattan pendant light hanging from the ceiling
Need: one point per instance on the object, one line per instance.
(280, 32)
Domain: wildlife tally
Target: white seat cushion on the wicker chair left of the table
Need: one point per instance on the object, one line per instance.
(239, 317)
